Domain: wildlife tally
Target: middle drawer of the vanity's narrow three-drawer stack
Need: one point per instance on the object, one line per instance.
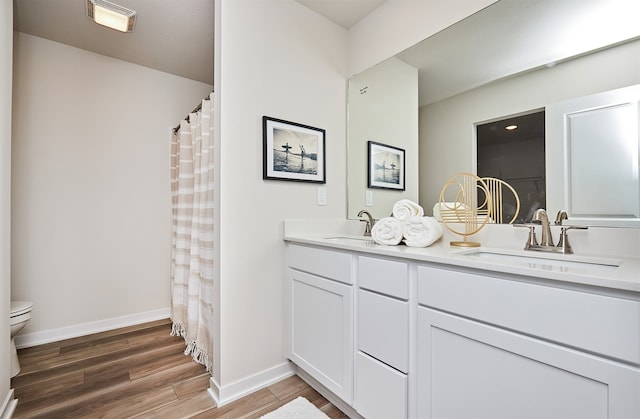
(383, 329)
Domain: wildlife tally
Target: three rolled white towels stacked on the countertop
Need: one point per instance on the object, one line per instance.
(408, 225)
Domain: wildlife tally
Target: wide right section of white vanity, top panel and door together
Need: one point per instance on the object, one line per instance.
(500, 348)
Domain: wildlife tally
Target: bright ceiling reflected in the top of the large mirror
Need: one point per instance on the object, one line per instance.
(510, 37)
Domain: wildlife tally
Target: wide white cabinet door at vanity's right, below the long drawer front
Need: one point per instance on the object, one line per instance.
(470, 369)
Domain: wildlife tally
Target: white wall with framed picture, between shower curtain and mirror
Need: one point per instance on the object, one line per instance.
(279, 59)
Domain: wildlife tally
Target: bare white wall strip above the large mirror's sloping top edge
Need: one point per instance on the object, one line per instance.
(397, 25)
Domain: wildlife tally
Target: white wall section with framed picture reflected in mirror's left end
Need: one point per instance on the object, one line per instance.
(383, 108)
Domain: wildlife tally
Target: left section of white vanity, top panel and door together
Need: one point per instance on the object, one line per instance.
(320, 312)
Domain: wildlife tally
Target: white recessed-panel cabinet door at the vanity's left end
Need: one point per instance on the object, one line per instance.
(321, 332)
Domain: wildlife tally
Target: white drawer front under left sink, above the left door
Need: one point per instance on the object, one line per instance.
(321, 262)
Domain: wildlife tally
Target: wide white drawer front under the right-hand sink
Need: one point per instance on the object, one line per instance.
(591, 322)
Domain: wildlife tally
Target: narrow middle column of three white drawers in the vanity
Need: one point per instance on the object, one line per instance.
(382, 359)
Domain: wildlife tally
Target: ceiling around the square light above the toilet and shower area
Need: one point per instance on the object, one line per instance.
(173, 36)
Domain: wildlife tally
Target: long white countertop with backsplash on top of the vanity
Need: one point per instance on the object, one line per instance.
(346, 235)
